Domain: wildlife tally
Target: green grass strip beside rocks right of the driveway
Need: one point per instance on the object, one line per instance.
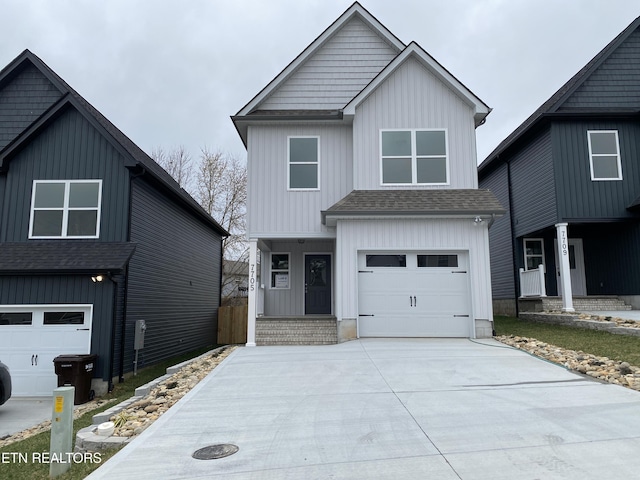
(603, 344)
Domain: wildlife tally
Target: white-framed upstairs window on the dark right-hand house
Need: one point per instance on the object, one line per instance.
(604, 155)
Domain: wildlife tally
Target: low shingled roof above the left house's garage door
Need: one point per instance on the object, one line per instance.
(64, 257)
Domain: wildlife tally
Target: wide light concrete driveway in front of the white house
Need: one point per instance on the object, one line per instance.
(392, 408)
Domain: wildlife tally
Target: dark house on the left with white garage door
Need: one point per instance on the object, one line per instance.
(94, 236)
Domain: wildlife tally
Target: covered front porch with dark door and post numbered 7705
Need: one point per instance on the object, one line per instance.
(291, 292)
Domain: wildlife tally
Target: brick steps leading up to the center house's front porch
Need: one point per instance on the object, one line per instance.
(312, 330)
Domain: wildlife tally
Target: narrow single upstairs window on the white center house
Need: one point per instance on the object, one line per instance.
(303, 169)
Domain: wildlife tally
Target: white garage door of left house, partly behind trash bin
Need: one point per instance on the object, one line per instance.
(32, 336)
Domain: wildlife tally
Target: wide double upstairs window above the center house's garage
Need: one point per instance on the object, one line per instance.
(418, 157)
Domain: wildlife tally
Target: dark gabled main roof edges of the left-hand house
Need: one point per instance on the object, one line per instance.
(71, 99)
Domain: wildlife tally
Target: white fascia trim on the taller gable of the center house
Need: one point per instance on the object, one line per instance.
(355, 10)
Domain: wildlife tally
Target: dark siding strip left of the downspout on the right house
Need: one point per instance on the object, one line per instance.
(500, 244)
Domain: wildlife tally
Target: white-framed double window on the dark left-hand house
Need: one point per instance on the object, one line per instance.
(65, 209)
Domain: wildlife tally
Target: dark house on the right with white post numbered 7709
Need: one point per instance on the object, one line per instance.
(570, 179)
